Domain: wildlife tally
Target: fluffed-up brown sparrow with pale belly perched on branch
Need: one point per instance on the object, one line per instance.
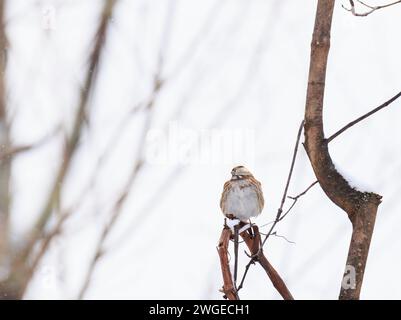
(242, 196)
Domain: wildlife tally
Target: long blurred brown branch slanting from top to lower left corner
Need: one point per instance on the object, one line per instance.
(22, 272)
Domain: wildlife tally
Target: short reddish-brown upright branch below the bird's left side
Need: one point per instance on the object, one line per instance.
(222, 249)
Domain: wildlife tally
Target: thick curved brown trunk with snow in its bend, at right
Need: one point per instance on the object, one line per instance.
(361, 207)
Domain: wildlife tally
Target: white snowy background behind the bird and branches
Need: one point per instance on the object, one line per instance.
(232, 68)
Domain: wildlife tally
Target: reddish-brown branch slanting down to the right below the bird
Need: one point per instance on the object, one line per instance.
(253, 243)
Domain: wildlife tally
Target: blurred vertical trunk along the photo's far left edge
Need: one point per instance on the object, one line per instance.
(5, 162)
